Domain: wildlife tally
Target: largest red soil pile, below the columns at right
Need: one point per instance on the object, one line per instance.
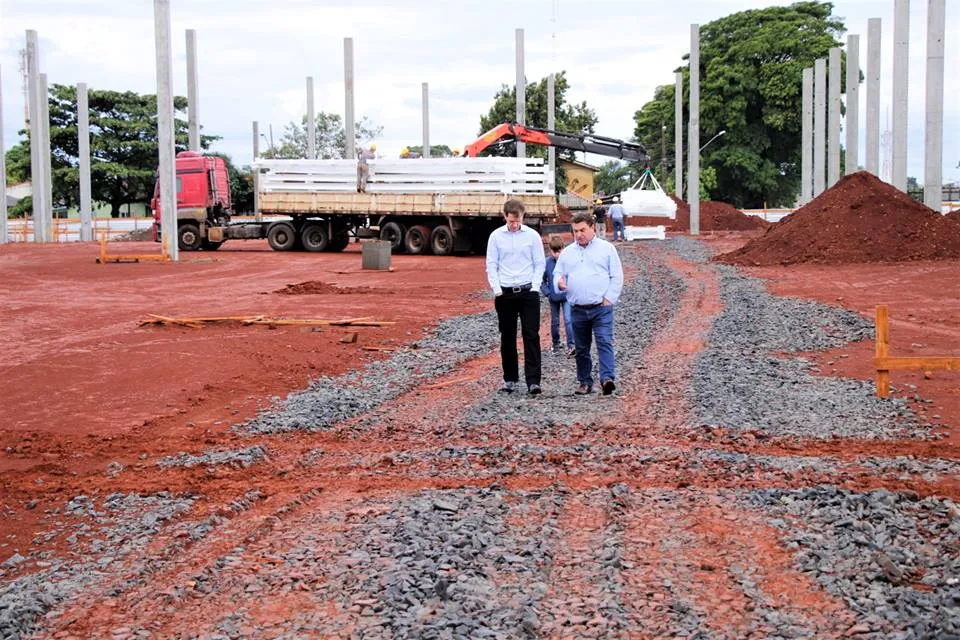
(859, 219)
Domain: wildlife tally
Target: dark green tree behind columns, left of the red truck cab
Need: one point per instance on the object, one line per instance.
(123, 146)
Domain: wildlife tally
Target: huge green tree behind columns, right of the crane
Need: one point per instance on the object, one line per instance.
(751, 76)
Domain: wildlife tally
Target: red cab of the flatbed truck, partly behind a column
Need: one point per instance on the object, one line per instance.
(203, 199)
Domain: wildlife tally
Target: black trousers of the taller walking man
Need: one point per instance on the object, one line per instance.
(525, 306)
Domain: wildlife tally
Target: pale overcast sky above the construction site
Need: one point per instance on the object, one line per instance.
(254, 57)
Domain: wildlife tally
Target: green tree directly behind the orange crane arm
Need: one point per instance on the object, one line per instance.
(570, 118)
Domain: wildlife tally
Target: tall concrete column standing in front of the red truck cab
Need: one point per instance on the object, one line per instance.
(167, 152)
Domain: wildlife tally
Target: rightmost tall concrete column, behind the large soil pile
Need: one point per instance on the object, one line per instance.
(933, 144)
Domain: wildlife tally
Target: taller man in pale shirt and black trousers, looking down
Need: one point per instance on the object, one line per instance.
(515, 264)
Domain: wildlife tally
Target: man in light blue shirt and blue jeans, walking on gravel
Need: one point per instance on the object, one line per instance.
(589, 270)
